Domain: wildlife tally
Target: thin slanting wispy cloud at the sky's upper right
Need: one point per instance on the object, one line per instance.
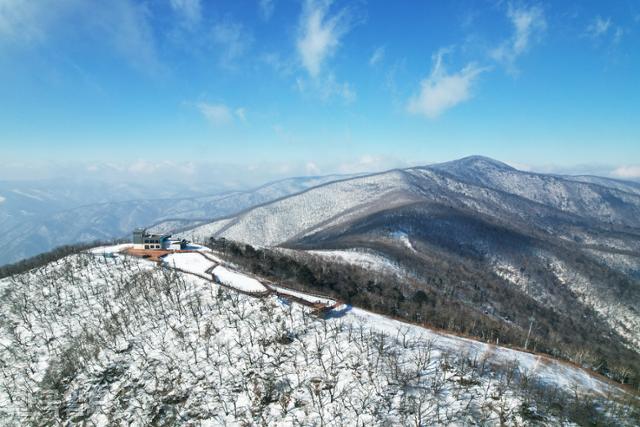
(529, 25)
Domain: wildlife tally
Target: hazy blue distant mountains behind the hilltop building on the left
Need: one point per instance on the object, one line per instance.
(38, 216)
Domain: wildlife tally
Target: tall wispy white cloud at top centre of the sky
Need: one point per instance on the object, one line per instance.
(319, 34)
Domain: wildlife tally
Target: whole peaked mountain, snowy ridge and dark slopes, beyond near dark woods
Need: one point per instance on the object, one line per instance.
(506, 243)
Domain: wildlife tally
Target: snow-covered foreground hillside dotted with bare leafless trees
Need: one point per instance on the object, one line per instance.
(101, 338)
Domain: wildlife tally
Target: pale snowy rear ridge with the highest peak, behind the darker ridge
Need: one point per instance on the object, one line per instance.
(550, 203)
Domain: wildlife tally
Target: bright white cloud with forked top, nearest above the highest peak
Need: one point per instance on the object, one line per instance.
(441, 91)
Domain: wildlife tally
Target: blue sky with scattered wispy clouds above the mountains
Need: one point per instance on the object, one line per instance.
(278, 87)
